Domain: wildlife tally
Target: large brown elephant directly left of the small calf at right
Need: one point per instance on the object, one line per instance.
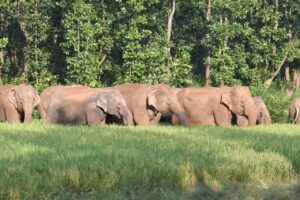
(216, 106)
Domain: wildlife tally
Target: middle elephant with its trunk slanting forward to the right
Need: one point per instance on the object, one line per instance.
(148, 103)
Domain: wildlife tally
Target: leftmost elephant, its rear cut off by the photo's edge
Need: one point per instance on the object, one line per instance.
(17, 102)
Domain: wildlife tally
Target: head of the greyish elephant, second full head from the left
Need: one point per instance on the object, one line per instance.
(113, 104)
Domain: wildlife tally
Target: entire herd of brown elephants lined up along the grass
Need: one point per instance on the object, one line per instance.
(137, 104)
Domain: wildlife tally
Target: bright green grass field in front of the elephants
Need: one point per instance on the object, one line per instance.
(39, 161)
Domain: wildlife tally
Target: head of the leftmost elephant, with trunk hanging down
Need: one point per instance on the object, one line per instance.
(24, 98)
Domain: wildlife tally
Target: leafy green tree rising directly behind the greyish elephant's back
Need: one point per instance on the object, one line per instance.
(81, 46)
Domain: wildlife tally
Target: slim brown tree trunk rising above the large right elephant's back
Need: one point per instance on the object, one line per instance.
(208, 58)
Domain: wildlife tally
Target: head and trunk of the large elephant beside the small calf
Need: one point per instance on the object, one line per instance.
(240, 102)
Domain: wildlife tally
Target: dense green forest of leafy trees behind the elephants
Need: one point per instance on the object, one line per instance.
(183, 43)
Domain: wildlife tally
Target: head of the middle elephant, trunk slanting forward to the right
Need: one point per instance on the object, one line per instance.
(164, 101)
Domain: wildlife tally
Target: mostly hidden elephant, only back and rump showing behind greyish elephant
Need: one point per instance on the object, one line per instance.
(46, 96)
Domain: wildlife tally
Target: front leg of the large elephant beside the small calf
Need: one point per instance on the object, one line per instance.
(223, 116)
